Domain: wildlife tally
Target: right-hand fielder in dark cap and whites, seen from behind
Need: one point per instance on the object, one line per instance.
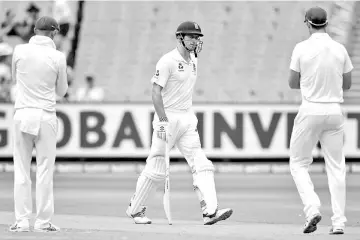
(321, 68)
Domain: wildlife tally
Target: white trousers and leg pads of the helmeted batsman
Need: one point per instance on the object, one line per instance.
(184, 135)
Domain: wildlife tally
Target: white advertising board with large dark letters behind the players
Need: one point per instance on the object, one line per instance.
(226, 131)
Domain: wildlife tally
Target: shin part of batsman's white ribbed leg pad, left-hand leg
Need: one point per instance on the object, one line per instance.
(143, 188)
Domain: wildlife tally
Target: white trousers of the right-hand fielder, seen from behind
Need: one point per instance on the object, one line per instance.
(307, 131)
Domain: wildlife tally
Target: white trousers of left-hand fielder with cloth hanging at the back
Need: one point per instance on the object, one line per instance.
(34, 128)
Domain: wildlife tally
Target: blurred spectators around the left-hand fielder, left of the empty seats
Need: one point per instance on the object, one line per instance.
(17, 27)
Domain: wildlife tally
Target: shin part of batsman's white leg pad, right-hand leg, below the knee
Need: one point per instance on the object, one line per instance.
(205, 189)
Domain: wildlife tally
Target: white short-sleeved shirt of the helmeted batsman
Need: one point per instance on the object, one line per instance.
(178, 78)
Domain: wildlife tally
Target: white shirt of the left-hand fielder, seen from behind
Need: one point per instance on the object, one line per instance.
(39, 71)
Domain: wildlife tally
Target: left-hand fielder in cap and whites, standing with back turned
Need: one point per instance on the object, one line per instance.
(40, 73)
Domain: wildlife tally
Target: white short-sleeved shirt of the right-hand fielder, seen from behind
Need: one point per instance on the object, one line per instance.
(321, 63)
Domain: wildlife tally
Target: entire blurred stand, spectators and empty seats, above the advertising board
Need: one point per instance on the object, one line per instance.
(112, 46)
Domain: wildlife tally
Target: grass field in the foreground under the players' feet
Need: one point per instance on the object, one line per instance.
(92, 206)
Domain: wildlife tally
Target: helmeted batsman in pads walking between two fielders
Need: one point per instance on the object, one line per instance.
(176, 123)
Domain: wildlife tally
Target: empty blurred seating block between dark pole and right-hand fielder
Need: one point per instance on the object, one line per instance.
(247, 47)
